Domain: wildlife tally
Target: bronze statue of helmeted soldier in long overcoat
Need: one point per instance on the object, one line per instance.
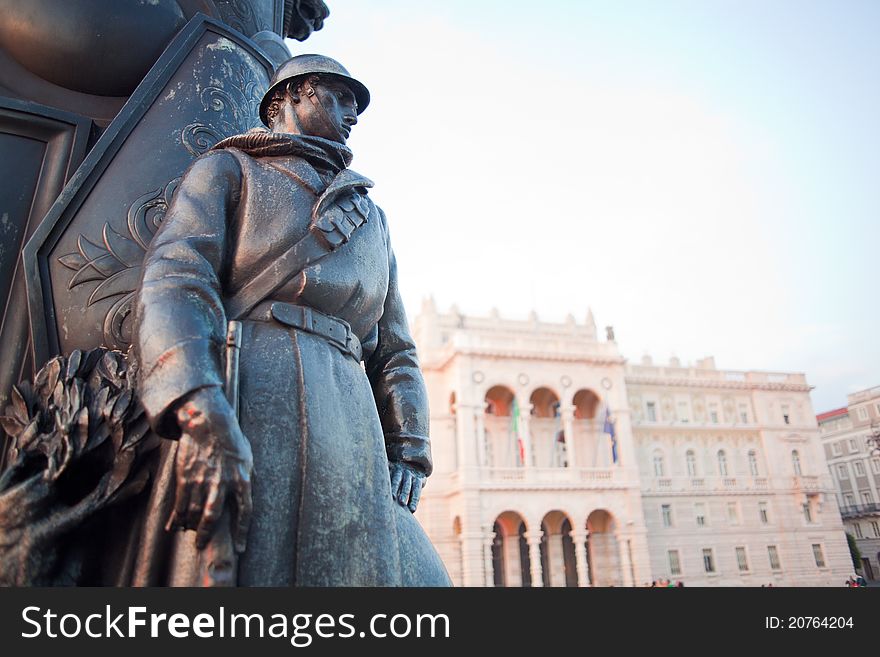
(323, 465)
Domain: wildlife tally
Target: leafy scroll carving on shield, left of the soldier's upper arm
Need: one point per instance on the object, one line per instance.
(114, 262)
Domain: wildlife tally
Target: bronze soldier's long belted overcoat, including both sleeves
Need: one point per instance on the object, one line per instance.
(321, 425)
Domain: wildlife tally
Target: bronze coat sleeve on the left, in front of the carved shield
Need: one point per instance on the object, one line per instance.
(180, 323)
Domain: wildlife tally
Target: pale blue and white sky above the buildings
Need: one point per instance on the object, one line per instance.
(704, 174)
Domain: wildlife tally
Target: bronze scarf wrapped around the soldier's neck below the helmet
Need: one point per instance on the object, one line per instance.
(319, 152)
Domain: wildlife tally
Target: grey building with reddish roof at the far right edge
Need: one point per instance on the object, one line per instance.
(855, 470)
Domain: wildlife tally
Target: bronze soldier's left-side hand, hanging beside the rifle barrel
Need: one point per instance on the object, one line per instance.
(214, 462)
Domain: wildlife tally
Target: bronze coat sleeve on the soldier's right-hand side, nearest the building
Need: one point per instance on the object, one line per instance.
(398, 385)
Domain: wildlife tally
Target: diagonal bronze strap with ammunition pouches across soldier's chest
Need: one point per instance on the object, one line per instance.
(339, 211)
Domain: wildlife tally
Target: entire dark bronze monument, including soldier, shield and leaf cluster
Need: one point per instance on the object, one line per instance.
(269, 233)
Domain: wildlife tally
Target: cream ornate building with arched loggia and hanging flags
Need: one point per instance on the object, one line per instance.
(715, 478)
